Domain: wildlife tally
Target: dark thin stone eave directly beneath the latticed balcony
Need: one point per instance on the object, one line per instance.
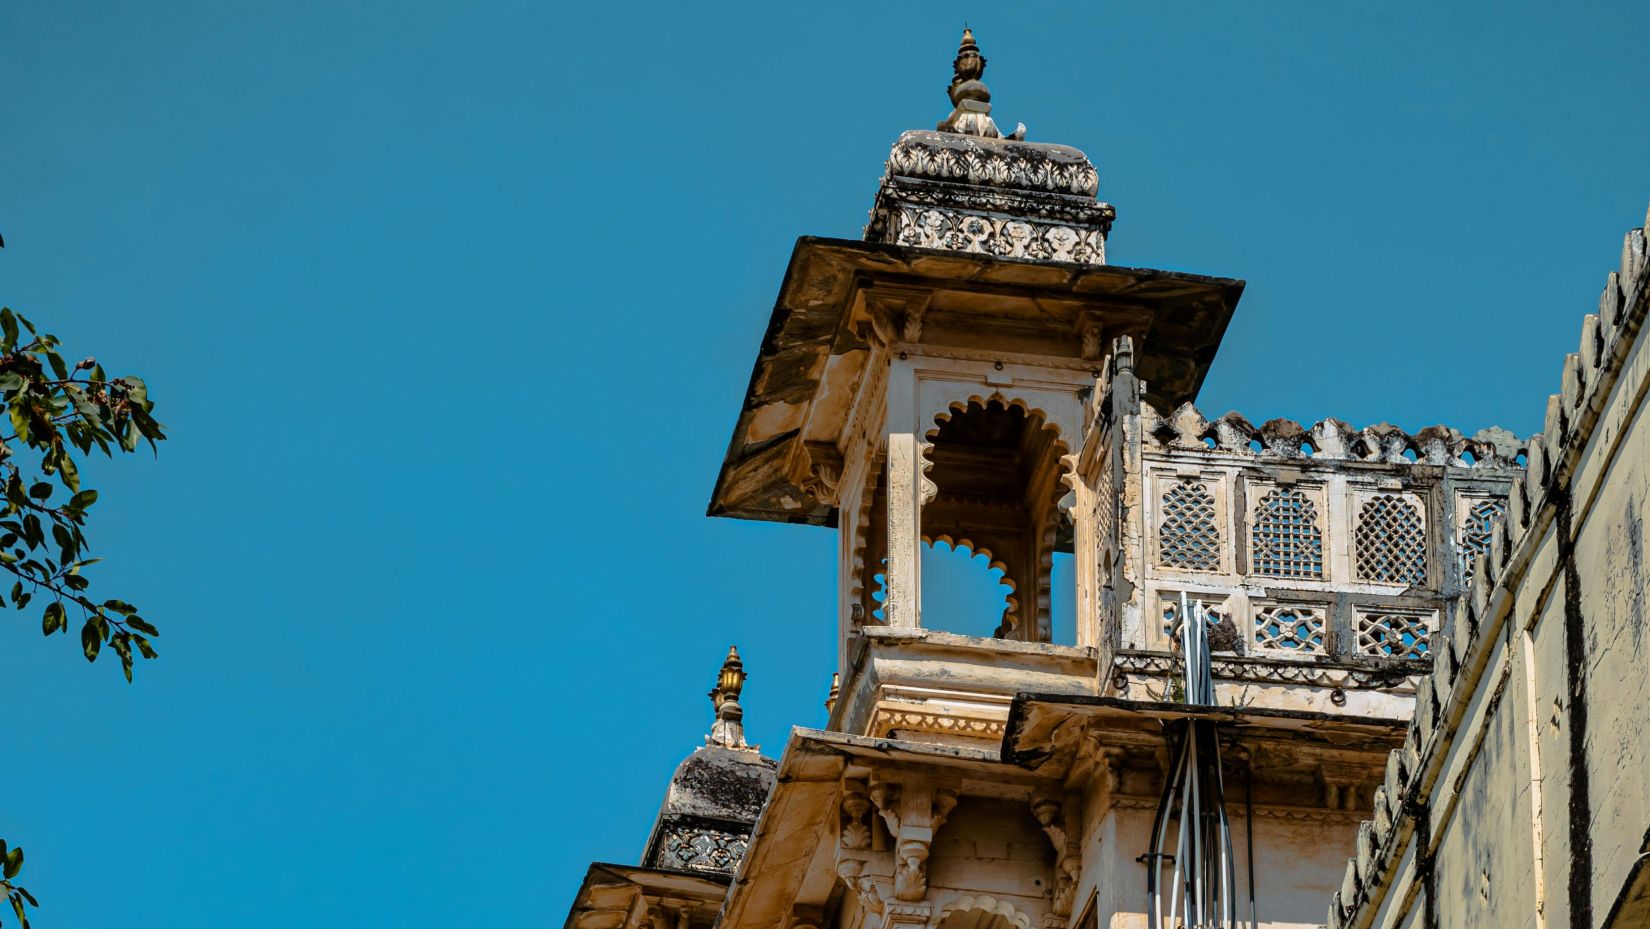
(1034, 719)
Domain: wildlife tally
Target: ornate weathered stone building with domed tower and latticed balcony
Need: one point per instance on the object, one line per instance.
(974, 374)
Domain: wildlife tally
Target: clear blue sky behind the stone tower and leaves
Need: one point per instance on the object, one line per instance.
(450, 311)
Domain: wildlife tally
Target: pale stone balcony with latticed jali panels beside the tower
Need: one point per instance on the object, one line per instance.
(1331, 555)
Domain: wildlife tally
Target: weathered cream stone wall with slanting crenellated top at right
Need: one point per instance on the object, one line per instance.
(1522, 798)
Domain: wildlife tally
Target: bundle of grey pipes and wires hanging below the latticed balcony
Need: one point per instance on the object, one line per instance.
(1202, 890)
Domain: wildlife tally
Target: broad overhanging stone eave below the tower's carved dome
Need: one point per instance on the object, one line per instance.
(1189, 318)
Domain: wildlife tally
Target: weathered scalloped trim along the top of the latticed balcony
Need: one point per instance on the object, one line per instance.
(1331, 440)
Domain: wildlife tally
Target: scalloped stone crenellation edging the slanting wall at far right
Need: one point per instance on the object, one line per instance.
(1459, 663)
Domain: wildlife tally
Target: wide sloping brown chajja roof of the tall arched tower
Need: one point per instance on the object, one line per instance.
(816, 347)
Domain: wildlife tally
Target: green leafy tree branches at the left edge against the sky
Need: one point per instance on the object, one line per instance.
(57, 413)
